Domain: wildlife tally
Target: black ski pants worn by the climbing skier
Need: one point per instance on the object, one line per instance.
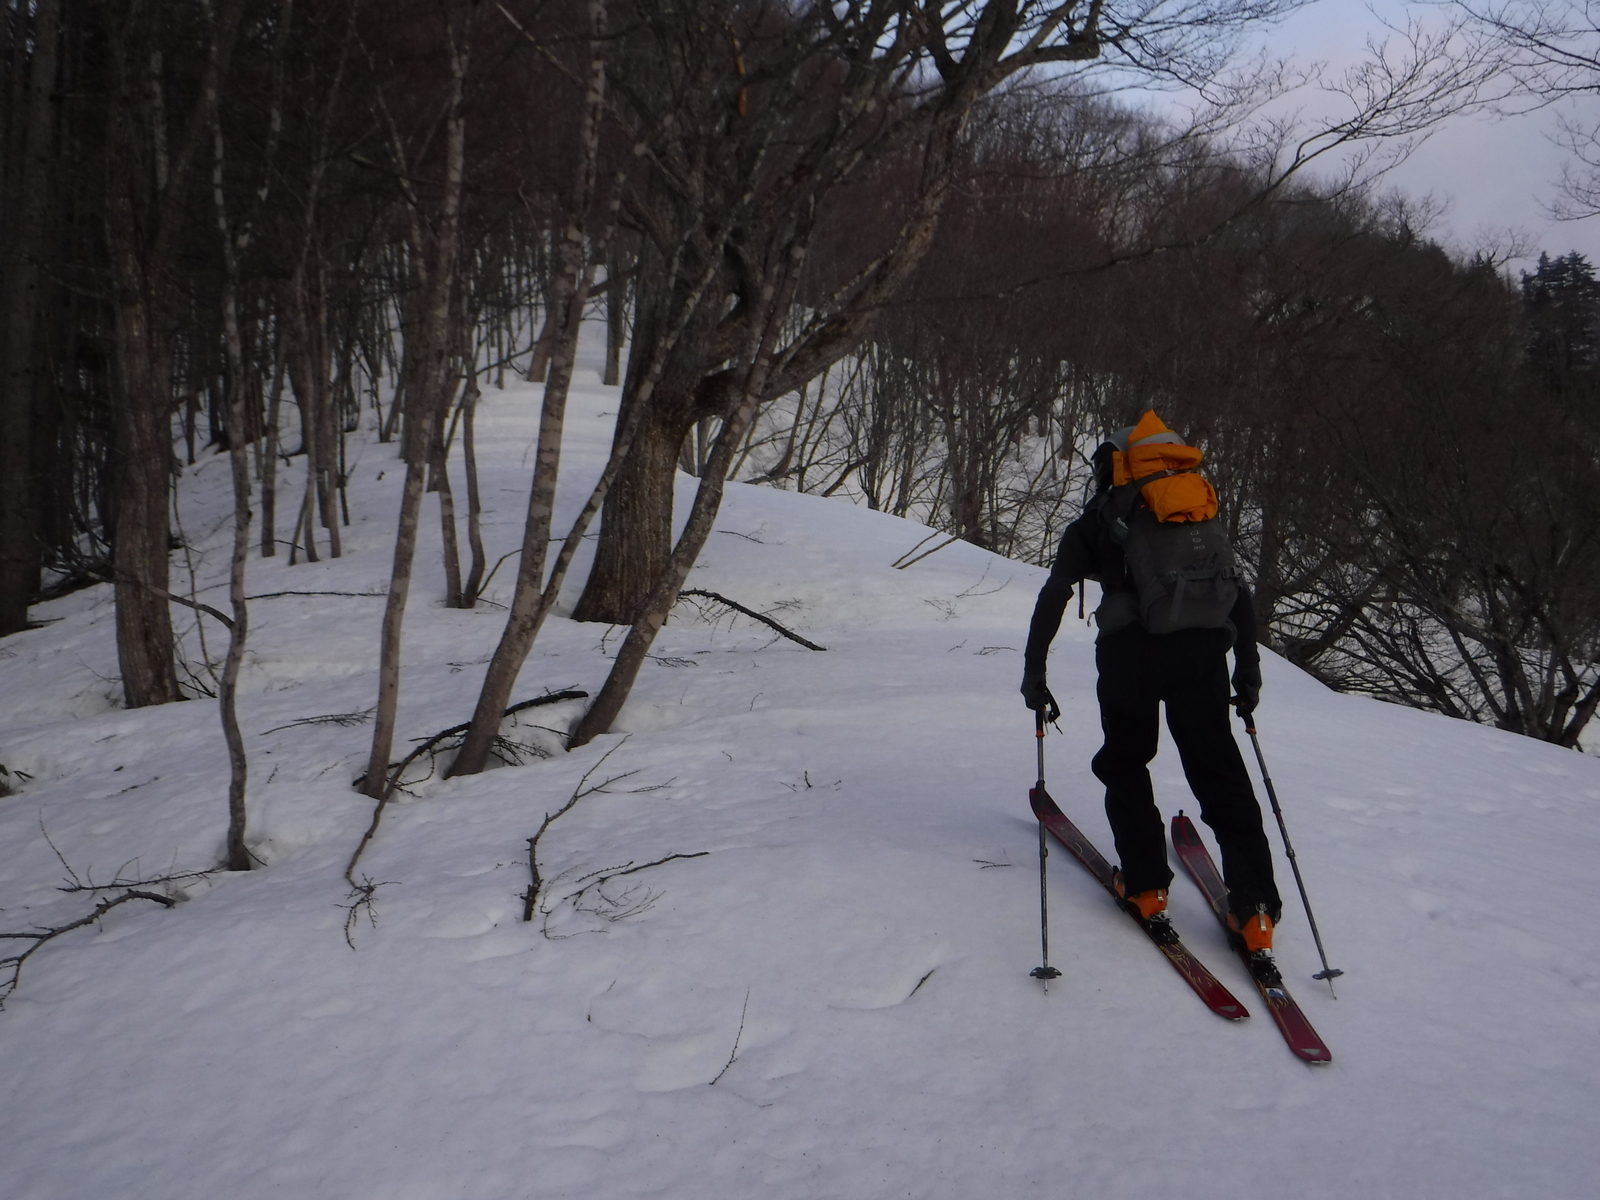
(1188, 671)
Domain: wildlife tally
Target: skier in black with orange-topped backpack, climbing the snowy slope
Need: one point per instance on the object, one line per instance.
(1185, 668)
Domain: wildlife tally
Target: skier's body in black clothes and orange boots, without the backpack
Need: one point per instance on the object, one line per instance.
(1188, 673)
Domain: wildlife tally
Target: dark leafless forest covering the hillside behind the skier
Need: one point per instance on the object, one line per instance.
(918, 257)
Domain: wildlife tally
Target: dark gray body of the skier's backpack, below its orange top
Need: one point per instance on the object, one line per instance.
(1185, 574)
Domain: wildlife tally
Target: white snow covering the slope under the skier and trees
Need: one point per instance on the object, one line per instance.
(833, 1001)
